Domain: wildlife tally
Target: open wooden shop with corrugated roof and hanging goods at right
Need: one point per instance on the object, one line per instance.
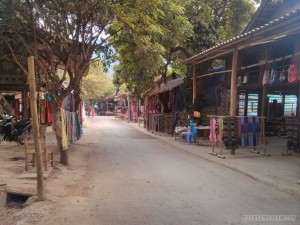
(261, 77)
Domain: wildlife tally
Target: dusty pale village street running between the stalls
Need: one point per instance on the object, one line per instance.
(133, 178)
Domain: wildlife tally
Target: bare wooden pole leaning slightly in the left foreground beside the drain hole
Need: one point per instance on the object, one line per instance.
(35, 125)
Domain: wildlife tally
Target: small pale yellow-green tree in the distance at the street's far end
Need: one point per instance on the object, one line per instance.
(97, 84)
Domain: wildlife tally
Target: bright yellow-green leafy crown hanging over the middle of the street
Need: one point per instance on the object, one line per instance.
(145, 50)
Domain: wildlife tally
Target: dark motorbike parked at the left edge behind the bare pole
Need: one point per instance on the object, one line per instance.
(14, 130)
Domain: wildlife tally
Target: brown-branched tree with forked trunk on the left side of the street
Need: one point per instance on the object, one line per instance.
(59, 34)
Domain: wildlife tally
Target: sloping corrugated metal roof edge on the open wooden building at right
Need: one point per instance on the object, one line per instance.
(252, 32)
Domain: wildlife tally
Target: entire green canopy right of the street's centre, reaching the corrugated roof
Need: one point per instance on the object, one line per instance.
(174, 30)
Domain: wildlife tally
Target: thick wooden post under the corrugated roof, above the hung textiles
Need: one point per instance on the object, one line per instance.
(233, 94)
